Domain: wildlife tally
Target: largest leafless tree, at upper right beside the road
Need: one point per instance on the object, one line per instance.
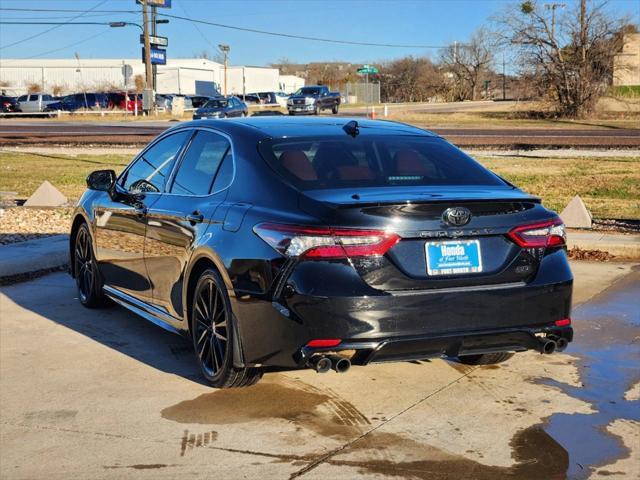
(569, 53)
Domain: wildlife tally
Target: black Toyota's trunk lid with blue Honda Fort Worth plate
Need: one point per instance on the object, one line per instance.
(487, 256)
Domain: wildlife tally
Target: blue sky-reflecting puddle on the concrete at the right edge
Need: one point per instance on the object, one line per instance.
(607, 343)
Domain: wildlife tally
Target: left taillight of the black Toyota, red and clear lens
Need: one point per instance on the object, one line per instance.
(322, 243)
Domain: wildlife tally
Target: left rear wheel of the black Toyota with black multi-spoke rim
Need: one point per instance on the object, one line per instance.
(212, 333)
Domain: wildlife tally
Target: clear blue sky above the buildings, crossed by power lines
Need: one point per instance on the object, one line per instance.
(422, 22)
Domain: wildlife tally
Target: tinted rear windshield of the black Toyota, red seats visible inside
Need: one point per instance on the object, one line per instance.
(373, 161)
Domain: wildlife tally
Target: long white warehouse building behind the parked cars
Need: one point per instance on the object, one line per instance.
(188, 76)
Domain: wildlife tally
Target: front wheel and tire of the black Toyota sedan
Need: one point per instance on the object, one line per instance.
(85, 268)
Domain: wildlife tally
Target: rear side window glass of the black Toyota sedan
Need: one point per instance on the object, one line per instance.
(200, 164)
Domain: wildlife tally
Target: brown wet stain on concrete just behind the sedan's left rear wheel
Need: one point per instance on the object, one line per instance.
(321, 410)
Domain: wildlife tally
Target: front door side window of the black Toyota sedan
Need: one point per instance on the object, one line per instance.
(150, 171)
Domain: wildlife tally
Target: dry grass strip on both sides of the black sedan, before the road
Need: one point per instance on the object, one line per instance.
(609, 186)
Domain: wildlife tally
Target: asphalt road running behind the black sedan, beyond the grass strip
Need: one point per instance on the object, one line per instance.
(15, 132)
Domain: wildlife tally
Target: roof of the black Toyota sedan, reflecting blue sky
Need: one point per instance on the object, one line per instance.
(283, 126)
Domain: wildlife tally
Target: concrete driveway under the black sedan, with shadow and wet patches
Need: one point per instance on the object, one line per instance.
(103, 394)
